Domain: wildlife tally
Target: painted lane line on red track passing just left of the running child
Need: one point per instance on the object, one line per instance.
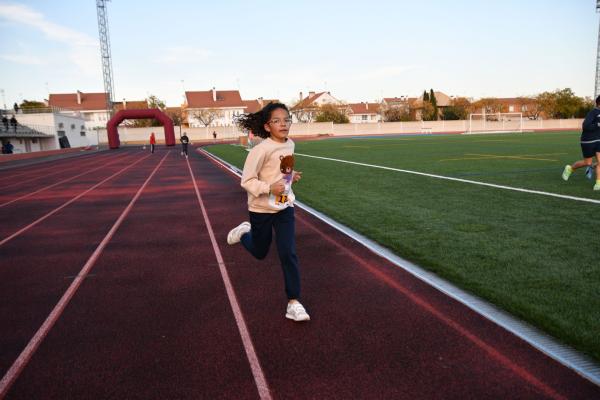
(257, 372)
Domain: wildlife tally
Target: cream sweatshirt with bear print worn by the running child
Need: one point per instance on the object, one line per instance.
(261, 169)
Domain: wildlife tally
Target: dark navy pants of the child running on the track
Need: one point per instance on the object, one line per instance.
(258, 242)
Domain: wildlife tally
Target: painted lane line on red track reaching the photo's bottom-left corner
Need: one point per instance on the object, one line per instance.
(21, 362)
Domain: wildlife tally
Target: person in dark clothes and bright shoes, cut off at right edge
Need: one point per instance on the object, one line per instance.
(590, 145)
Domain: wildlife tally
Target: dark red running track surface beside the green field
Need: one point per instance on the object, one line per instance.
(152, 319)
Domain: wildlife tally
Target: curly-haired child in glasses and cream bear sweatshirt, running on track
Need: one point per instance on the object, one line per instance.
(268, 177)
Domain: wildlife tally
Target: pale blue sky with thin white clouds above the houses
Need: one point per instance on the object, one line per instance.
(357, 50)
